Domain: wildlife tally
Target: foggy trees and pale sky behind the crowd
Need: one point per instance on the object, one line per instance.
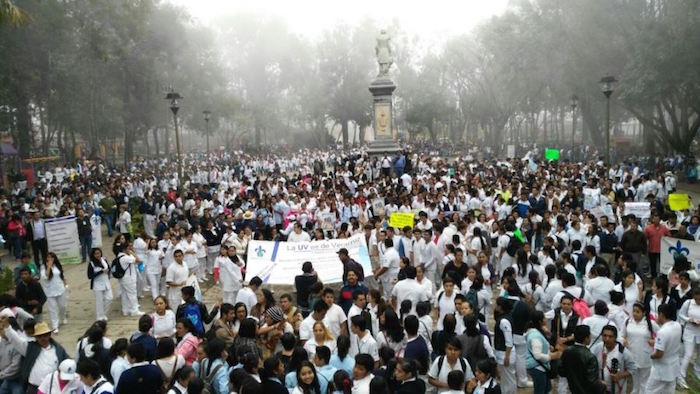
(93, 74)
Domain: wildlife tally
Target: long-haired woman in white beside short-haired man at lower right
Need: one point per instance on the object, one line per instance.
(637, 333)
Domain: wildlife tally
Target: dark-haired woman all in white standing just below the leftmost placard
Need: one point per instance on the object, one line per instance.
(54, 285)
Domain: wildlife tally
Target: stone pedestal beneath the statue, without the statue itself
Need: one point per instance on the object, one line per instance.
(382, 89)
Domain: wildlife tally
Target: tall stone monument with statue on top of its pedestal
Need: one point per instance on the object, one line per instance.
(382, 89)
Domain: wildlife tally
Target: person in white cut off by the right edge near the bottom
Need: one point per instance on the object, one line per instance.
(689, 317)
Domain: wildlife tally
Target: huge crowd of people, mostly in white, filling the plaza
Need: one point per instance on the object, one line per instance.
(515, 274)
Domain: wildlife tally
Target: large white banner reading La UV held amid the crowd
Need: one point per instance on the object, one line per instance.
(278, 263)
